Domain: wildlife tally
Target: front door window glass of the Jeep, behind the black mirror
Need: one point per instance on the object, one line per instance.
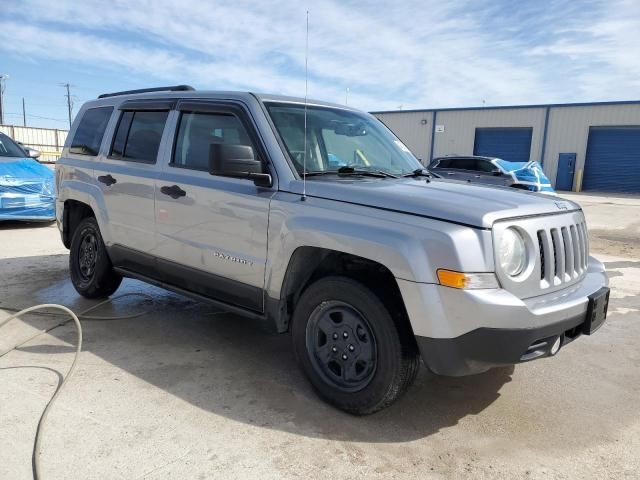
(198, 131)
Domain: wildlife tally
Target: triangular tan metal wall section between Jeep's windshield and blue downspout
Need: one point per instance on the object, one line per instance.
(413, 128)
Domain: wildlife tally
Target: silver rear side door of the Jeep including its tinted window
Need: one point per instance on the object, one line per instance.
(127, 179)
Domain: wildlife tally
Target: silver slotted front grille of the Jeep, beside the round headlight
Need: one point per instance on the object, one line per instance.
(563, 253)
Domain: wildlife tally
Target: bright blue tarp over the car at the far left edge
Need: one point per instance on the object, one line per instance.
(26, 190)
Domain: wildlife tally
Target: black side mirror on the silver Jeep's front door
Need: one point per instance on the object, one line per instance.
(237, 161)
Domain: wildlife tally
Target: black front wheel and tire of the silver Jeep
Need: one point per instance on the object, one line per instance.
(381, 362)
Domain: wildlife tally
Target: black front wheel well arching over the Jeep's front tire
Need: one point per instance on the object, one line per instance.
(309, 264)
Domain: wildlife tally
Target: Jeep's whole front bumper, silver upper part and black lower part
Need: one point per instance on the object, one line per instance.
(462, 332)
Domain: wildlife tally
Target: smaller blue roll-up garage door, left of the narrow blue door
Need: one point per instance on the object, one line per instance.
(513, 144)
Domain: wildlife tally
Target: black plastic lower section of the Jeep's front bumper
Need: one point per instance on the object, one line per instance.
(481, 349)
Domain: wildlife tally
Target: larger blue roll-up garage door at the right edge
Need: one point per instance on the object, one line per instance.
(612, 163)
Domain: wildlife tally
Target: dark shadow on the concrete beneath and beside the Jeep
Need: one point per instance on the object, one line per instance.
(232, 366)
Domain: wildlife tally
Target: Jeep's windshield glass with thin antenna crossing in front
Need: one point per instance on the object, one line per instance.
(339, 138)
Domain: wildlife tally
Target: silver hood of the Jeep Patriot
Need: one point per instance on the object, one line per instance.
(460, 202)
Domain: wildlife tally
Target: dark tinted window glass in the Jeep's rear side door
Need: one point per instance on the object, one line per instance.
(138, 136)
